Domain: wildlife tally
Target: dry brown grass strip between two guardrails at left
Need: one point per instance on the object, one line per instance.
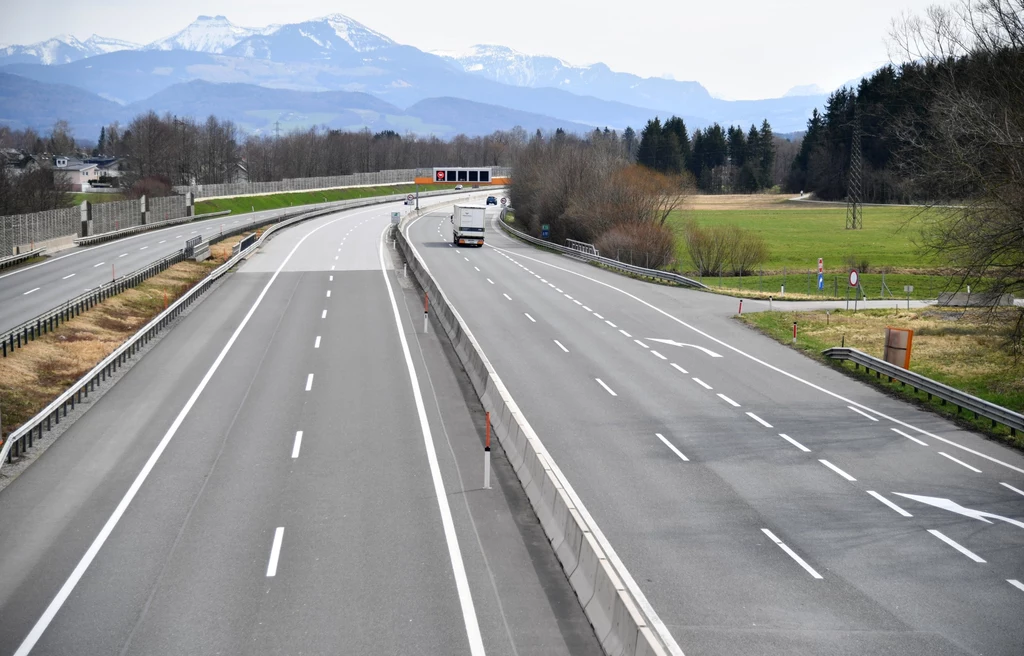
(33, 376)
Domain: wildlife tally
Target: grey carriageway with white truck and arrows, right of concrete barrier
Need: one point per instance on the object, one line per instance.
(764, 504)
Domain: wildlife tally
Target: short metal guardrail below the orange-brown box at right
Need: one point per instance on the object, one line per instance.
(980, 408)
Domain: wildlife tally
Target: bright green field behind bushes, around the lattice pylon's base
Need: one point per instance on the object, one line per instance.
(798, 237)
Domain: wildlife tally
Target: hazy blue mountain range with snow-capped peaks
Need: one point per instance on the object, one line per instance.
(337, 72)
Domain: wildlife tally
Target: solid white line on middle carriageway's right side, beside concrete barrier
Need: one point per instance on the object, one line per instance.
(455, 554)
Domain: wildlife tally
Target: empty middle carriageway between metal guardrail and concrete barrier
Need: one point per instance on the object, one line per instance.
(296, 468)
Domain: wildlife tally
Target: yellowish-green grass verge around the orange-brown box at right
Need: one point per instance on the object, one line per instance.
(963, 349)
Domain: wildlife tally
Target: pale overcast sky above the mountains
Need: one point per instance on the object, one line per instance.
(738, 50)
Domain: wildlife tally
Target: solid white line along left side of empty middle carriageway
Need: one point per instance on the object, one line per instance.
(91, 554)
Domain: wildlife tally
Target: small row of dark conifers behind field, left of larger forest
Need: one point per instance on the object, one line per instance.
(720, 160)
